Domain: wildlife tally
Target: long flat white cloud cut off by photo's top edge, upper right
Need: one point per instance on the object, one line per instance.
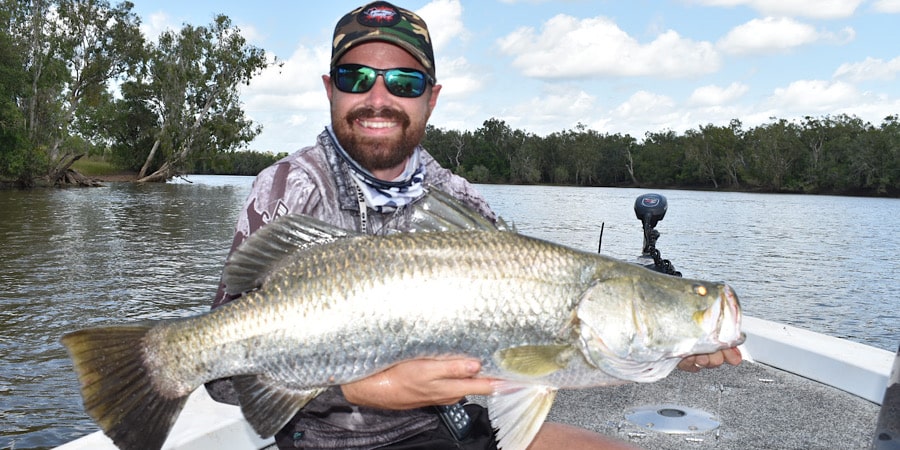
(817, 9)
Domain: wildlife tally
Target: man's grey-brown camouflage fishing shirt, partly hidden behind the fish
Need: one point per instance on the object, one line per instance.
(316, 182)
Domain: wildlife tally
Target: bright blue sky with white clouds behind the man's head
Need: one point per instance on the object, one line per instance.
(615, 66)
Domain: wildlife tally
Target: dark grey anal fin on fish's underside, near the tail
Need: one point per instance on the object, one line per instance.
(268, 406)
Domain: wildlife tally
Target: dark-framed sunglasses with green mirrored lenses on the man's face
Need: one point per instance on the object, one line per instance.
(402, 82)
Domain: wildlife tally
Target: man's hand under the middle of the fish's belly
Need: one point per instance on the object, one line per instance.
(418, 383)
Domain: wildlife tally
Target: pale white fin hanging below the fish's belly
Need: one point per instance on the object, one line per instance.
(517, 411)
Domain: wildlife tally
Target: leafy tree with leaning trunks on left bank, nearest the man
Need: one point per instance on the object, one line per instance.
(191, 86)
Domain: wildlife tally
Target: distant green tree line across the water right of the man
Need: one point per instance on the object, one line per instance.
(832, 154)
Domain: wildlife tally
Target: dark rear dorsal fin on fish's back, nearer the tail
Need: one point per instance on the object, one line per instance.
(266, 249)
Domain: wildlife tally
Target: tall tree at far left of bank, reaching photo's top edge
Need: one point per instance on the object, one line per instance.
(72, 50)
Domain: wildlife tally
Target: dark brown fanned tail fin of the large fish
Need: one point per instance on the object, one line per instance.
(116, 387)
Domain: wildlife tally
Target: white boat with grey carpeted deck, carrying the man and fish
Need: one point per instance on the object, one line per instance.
(797, 389)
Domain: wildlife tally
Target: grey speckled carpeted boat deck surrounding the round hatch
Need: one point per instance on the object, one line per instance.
(759, 407)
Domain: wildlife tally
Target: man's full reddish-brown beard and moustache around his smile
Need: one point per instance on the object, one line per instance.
(378, 153)
